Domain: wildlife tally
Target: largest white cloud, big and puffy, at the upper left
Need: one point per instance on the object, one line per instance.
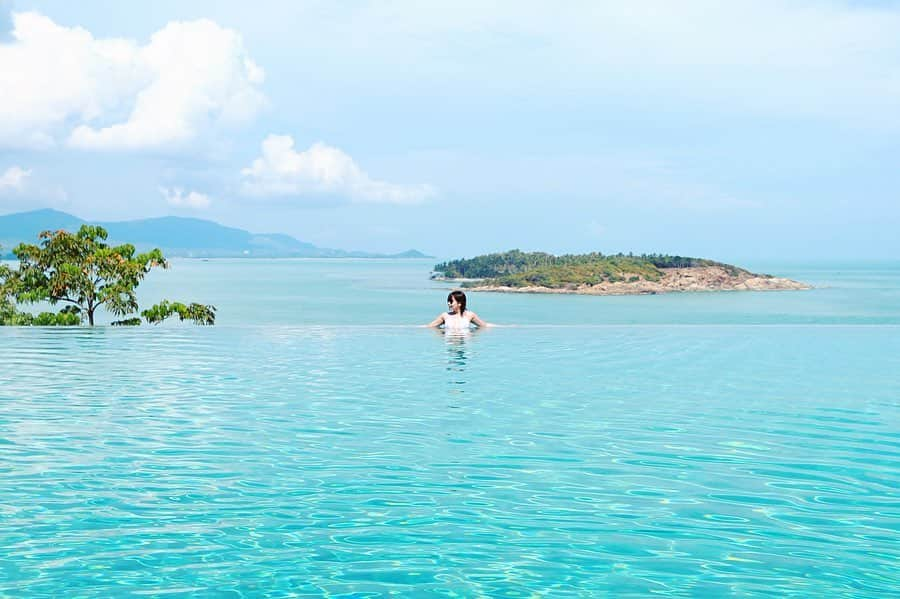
(116, 94)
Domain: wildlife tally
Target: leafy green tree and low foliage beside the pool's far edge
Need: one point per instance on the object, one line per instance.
(82, 271)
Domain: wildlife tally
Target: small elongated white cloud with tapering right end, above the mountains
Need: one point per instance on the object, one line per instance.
(322, 169)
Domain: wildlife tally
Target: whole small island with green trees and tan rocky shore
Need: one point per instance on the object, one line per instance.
(598, 274)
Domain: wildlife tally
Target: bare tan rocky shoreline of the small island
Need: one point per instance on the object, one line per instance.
(699, 278)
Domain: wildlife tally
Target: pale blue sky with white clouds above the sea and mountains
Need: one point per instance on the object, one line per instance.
(733, 130)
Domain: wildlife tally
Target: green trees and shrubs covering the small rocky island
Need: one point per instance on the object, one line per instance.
(522, 269)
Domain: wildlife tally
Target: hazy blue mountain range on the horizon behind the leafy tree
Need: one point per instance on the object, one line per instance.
(177, 236)
